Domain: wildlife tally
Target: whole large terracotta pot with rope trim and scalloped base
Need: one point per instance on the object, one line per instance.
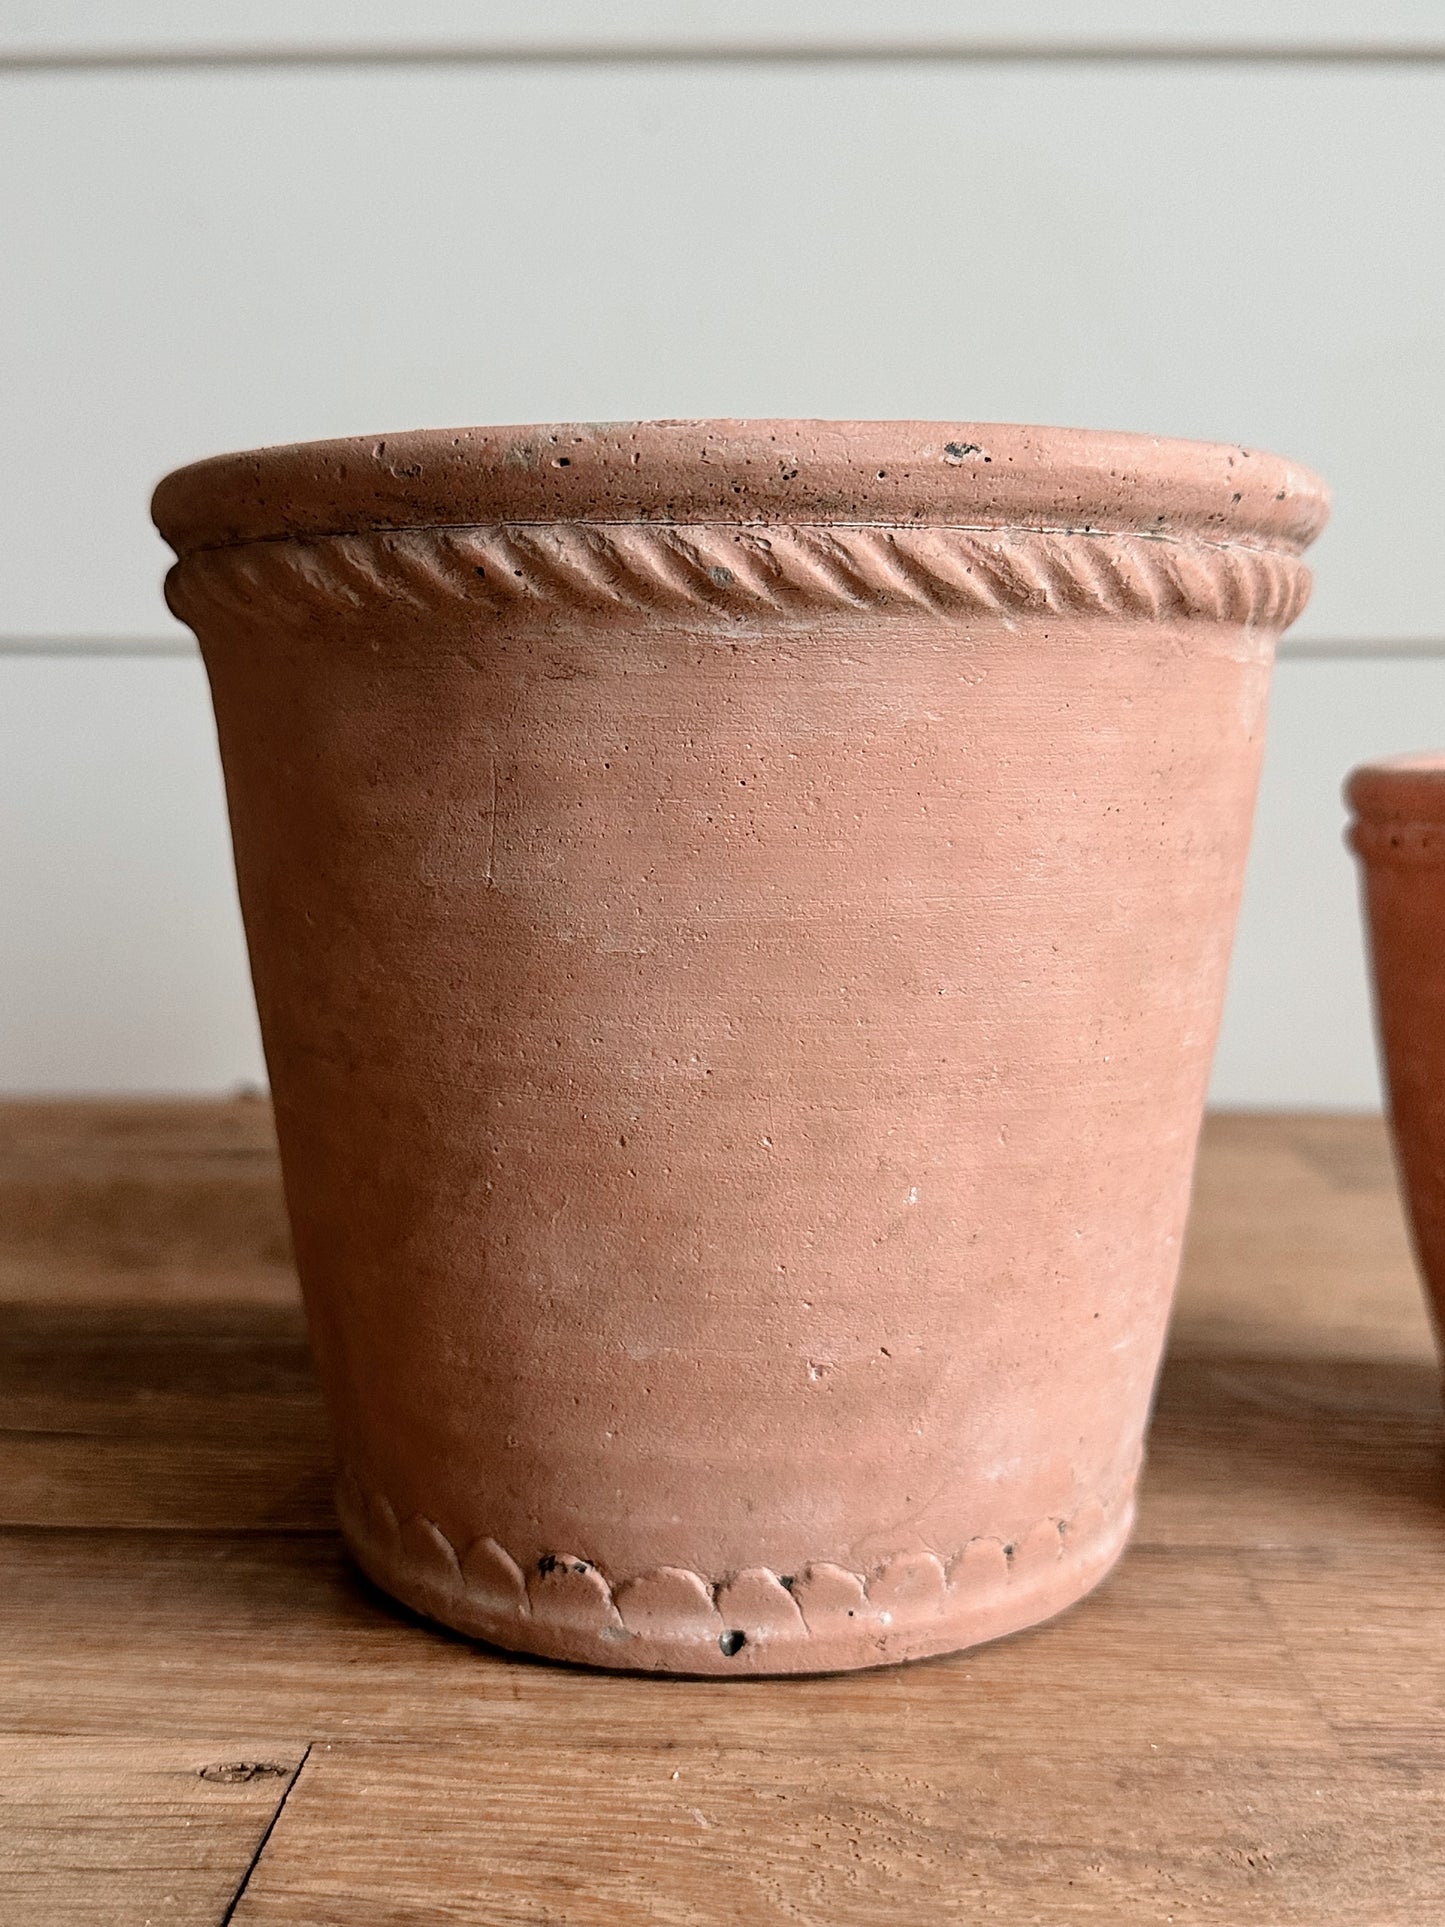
(739, 916)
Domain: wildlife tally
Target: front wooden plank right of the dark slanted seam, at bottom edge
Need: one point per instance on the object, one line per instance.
(1030, 1828)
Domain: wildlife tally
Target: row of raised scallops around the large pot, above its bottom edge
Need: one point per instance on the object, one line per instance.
(571, 1595)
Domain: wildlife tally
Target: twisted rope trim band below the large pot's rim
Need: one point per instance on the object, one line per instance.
(741, 573)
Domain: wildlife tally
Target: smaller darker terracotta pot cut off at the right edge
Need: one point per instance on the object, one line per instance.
(1400, 837)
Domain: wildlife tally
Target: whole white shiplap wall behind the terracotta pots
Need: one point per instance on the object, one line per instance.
(211, 251)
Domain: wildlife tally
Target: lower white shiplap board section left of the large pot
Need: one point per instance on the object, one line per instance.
(122, 963)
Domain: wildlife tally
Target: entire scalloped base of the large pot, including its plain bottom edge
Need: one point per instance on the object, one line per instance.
(820, 1620)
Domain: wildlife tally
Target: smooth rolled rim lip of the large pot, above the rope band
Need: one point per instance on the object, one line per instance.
(750, 473)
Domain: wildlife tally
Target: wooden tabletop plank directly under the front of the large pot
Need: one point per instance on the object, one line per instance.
(120, 1633)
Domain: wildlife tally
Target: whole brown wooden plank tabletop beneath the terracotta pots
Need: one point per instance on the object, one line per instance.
(207, 1716)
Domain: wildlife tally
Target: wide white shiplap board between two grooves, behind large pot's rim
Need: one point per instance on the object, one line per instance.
(207, 261)
